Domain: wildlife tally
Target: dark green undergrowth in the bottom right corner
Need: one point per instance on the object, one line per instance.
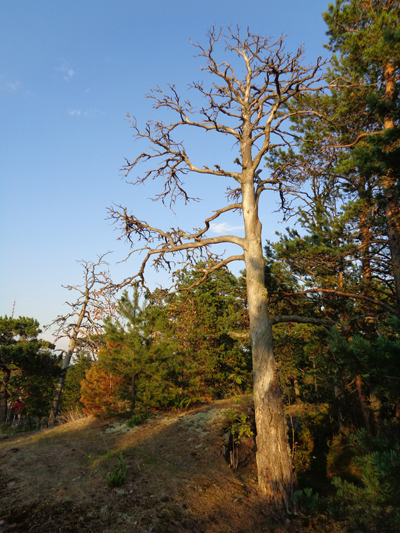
(366, 496)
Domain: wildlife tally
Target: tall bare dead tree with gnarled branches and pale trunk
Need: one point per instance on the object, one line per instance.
(253, 111)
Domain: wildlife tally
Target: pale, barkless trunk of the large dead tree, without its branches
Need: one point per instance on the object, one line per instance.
(276, 477)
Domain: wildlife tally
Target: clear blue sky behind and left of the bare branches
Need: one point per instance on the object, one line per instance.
(69, 74)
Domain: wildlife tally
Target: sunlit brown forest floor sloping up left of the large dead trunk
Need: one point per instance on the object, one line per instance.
(178, 478)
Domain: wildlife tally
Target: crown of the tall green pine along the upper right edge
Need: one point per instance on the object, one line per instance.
(343, 173)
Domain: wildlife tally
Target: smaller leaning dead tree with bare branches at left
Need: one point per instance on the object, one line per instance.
(82, 326)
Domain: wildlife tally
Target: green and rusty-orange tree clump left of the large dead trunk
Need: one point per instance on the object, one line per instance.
(175, 350)
